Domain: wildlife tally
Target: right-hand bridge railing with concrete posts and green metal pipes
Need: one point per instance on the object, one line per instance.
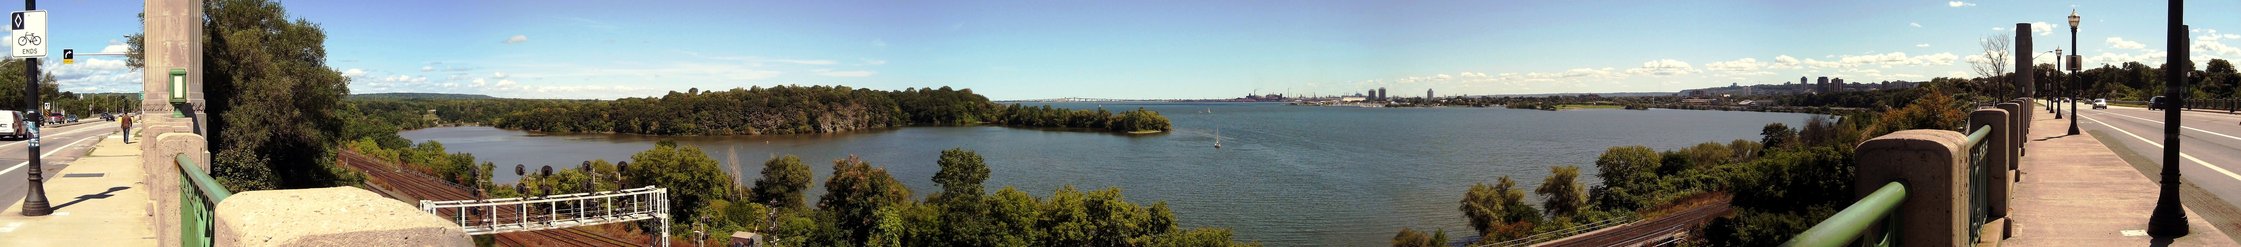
(1933, 187)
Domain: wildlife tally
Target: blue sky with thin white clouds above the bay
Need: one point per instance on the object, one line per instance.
(1162, 48)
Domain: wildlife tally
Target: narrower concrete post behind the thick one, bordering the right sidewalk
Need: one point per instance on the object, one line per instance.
(1996, 156)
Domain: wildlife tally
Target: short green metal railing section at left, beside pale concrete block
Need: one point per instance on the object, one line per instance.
(198, 203)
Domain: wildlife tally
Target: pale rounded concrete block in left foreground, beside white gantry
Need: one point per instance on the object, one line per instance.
(340, 217)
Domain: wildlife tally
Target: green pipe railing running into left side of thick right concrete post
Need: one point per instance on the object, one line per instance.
(1852, 223)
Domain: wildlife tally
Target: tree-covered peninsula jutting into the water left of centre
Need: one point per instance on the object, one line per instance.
(752, 111)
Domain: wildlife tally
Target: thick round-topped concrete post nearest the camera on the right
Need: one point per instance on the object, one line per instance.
(1931, 163)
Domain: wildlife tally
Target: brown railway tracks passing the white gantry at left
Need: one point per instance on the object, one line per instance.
(425, 187)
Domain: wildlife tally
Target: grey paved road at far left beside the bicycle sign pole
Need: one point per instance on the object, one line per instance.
(59, 147)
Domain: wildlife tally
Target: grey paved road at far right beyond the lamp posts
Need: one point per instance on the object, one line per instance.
(2211, 143)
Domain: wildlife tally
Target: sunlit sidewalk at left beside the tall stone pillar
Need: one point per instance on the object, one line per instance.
(100, 203)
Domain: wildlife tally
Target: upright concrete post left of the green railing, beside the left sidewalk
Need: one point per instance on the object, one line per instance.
(165, 179)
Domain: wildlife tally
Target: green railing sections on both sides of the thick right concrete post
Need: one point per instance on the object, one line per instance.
(1879, 208)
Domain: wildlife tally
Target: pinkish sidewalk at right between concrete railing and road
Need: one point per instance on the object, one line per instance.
(2081, 194)
